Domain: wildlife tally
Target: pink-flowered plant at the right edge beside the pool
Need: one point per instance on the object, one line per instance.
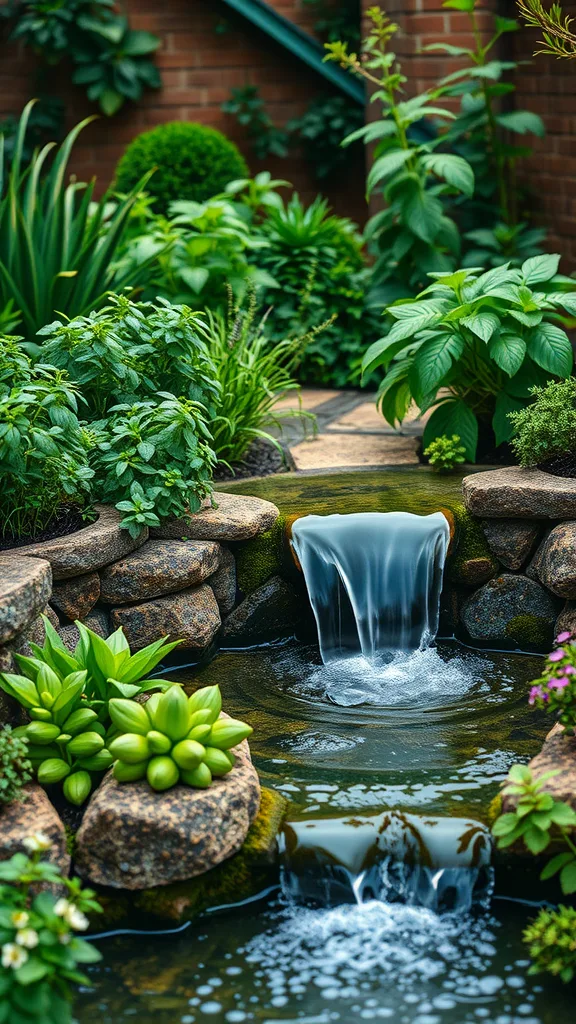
(555, 692)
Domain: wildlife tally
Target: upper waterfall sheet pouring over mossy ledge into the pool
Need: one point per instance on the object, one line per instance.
(375, 579)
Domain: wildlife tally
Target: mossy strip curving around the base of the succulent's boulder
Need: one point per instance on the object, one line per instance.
(243, 876)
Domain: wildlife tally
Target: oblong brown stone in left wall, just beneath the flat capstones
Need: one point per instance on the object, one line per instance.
(159, 568)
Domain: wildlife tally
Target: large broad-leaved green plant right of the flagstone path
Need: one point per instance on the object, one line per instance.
(485, 338)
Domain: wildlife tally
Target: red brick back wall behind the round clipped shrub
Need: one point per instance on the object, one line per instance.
(207, 51)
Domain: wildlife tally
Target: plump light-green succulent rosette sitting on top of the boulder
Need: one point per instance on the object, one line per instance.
(174, 739)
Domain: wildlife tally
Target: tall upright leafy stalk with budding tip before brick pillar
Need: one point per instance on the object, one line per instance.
(413, 235)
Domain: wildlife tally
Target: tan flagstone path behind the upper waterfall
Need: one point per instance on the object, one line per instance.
(351, 433)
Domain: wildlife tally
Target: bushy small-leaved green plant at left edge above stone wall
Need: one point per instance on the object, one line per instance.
(44, 454)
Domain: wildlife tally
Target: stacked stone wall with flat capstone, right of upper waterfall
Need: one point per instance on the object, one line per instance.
(529, 521)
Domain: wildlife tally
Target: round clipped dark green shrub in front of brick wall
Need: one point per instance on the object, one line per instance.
(193, 162)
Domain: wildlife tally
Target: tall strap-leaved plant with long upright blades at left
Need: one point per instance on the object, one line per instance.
(54, 253)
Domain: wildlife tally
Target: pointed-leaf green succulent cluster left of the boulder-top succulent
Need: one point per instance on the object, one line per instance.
(68, 698)
